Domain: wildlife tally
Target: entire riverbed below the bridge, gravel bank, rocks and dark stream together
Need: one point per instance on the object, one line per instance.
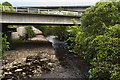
(40, 59)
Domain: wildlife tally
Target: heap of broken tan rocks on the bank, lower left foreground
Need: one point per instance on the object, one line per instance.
(29, 67)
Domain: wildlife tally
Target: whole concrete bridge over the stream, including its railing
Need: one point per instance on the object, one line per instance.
(40, 15)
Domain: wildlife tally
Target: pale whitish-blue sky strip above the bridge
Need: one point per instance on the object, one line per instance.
(51, 2)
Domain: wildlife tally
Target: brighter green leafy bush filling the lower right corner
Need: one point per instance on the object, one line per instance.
(104, 52)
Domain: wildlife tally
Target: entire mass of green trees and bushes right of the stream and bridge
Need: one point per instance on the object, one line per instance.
(98, 39)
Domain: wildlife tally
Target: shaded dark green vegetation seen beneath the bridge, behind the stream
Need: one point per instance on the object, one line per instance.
(60, 31)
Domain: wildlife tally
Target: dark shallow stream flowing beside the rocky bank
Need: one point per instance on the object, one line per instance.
(73, 65)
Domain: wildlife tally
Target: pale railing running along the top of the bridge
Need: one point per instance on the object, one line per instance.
(39, 11)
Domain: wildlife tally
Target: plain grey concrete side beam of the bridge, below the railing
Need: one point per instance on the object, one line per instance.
(35, 18)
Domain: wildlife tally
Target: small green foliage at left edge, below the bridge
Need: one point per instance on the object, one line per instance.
(4, 46)
